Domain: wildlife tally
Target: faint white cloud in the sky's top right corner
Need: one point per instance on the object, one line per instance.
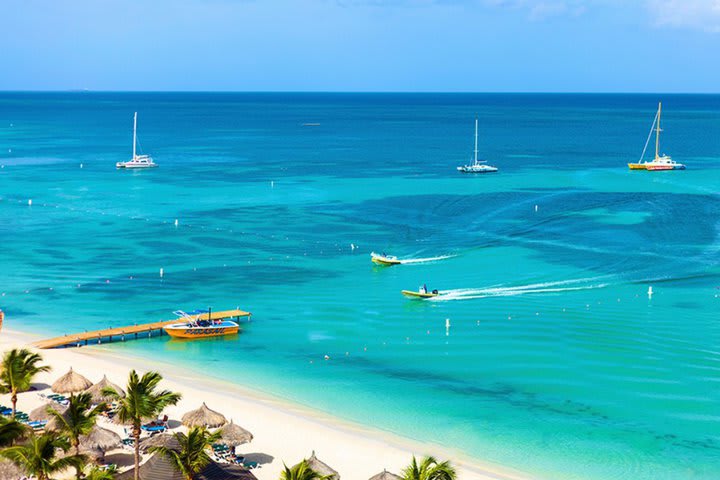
(698, 14)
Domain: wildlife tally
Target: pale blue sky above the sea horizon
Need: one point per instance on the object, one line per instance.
(361, 45)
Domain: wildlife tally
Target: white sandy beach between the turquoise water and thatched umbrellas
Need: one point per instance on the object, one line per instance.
(283, 432)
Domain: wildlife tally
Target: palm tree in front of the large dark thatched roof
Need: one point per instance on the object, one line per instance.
(191, 457)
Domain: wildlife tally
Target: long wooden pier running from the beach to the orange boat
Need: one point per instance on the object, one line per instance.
(129, 332)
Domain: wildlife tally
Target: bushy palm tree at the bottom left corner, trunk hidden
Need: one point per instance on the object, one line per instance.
(38, 457)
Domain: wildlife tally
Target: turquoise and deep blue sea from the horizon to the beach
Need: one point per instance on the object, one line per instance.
(556, 361)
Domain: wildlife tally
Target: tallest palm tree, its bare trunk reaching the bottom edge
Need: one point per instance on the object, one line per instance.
(141, 402)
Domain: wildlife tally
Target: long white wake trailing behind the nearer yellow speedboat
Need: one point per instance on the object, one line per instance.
(503, 291)
